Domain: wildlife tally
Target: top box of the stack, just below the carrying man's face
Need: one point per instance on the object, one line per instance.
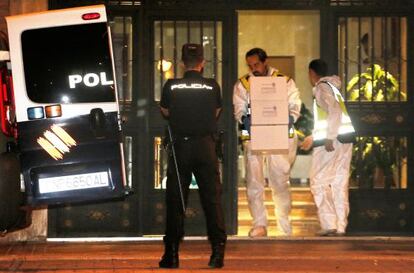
(268, 88)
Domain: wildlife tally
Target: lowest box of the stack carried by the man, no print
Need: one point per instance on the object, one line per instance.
(269, 139)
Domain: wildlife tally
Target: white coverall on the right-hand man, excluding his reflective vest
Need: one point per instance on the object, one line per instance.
(329, 173)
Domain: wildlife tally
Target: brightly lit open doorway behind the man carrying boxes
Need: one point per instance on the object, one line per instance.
(291, 39)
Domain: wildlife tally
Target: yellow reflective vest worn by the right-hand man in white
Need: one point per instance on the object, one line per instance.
(346, 133)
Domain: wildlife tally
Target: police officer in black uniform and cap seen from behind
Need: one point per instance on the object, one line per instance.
(192, 105)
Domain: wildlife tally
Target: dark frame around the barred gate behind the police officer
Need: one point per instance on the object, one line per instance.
(156, 124)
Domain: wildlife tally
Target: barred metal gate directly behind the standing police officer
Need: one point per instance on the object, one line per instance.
(167, 37)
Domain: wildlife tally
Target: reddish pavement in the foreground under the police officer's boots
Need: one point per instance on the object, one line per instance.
(365, 254)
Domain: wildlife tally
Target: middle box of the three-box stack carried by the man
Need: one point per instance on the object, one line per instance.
(269, 112)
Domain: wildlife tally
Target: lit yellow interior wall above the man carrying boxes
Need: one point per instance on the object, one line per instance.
(282, 33)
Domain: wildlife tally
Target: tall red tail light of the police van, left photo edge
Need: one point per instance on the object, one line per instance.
(7, 108)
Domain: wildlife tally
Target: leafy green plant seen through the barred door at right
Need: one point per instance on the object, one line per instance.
(375, 160)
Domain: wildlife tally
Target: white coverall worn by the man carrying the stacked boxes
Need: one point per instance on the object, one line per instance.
(278, 165)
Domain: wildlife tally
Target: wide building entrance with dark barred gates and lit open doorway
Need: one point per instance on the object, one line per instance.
(146, 41)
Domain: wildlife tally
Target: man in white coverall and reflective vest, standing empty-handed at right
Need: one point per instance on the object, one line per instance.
(332, 139)
